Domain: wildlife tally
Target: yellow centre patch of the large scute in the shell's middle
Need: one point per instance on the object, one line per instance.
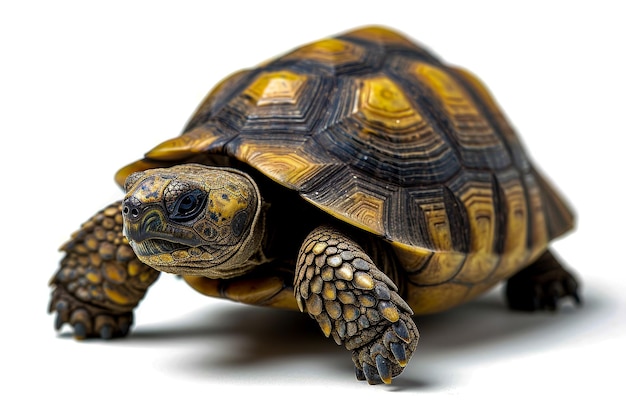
(381, 101)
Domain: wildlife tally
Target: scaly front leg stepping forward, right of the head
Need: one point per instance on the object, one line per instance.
(352, 300)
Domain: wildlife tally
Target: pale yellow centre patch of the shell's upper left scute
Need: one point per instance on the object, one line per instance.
(281, 87)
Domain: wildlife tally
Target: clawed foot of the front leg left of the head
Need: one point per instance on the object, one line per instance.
(86, 320)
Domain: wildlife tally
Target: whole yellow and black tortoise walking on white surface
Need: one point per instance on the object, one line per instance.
(358, 178)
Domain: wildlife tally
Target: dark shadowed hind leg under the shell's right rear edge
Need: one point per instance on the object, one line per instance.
(541, 285)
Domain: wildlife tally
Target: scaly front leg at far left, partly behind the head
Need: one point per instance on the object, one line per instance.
(100, 280)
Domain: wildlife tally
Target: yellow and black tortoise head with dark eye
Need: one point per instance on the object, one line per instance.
(192, 219)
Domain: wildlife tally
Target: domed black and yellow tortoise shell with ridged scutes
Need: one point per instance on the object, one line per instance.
(378, 132)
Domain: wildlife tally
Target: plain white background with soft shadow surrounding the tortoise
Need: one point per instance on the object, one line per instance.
(85, 89)
